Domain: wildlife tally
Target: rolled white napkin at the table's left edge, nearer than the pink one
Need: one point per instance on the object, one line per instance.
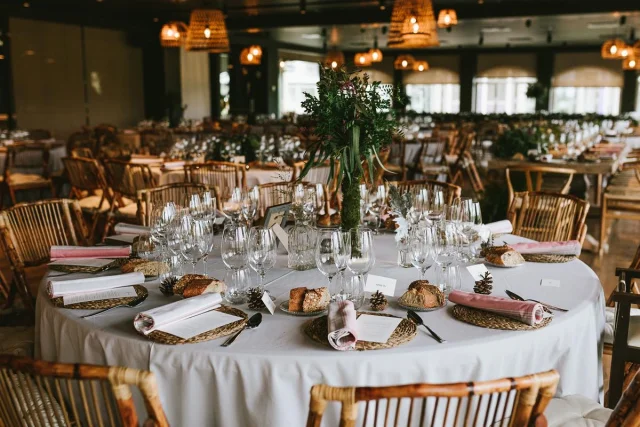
(60, 288)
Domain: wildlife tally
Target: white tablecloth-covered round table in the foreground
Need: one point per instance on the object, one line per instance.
(264, 378)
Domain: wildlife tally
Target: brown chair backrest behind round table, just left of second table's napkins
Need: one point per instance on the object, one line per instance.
(126, 179)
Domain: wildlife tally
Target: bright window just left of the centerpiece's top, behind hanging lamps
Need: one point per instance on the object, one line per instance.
(296, 78)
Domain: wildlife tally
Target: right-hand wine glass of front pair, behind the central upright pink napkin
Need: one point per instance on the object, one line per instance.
(359, 263)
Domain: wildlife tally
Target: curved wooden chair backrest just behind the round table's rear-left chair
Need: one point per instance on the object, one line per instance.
(223, 176)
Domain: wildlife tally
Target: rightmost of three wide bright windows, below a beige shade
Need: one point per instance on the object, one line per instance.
(601, 100)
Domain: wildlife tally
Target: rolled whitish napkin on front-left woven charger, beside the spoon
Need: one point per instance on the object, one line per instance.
(148, 321)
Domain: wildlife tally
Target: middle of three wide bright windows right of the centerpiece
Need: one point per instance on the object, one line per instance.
(502, 95)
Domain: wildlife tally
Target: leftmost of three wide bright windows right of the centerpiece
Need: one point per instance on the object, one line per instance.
(434, 98)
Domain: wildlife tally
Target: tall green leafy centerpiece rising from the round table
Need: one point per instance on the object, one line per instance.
(351, 120)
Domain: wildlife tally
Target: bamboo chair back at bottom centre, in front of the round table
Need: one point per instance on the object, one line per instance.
(532, 395)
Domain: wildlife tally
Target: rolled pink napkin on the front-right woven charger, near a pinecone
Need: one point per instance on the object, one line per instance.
(527, 312)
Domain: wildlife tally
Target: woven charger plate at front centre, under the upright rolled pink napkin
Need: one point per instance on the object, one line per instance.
(318, 331)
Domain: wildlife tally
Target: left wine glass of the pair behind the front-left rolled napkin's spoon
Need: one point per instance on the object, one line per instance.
(234, 249)
